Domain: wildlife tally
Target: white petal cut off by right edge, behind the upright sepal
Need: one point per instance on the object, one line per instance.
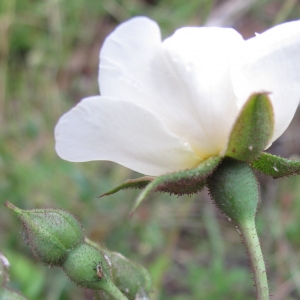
(271, 62)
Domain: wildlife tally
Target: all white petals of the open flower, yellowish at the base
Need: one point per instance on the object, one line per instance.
(169, 105)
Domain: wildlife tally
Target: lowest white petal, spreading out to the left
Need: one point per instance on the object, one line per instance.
(99, 128)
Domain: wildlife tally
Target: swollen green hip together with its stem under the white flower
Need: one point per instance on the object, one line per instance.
(234, 189)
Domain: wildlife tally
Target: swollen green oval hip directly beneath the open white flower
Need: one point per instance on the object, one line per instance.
(235, 190)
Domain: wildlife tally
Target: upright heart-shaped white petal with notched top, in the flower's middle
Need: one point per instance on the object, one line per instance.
(188, 87)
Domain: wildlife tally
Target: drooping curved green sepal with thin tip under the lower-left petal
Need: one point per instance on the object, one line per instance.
(188, 182)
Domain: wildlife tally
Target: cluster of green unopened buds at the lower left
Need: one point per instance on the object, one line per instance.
(56, 238)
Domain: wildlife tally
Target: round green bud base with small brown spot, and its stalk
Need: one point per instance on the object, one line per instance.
(90, 268)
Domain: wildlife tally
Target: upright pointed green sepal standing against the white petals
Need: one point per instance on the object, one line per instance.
(252, 130)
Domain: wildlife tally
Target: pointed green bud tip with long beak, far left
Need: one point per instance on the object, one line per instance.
(50, 233)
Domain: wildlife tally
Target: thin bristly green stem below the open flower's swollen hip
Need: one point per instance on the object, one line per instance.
(250, 238)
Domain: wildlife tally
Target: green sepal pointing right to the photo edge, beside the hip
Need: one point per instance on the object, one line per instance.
(276, 166)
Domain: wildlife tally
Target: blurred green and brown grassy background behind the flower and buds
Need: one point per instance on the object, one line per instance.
(48, 62)
